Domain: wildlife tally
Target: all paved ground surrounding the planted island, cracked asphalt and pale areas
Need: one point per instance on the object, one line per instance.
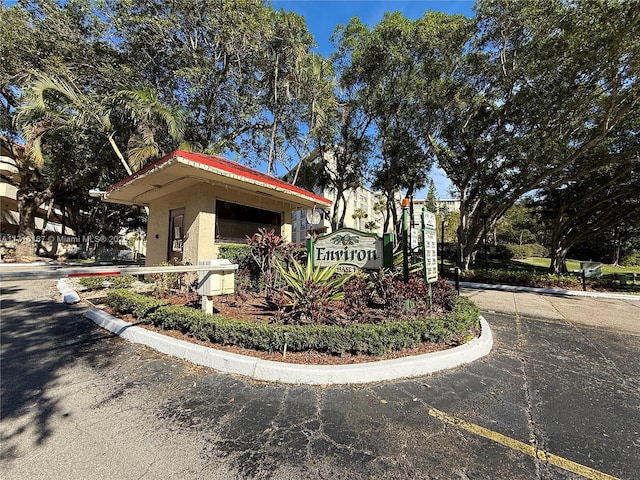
(558, 397)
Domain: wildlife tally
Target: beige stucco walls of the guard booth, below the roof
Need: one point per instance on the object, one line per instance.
(199, 224)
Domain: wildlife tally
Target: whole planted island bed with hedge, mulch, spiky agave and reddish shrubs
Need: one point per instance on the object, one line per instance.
(299, 313)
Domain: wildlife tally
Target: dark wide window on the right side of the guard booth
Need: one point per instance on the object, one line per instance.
(234, 222)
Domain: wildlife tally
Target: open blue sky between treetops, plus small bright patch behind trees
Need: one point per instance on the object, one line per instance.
(323, 16)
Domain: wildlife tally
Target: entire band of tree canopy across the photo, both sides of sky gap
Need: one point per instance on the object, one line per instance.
(529, 97)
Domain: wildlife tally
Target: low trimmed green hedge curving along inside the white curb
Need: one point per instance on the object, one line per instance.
(369, 339)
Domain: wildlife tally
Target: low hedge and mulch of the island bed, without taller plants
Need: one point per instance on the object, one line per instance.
(246, 325)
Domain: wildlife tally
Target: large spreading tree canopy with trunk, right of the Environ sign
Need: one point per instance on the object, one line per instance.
(522, 97)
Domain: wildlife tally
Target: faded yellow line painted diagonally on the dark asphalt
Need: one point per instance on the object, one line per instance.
(522, 447)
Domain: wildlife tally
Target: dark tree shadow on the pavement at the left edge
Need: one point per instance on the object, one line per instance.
(39, 339)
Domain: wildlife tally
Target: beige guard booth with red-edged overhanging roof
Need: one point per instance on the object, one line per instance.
(197, 202)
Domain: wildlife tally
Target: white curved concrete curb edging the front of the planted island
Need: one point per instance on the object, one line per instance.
(270, 371)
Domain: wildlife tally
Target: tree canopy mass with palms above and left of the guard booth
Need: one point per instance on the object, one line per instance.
(89, 85)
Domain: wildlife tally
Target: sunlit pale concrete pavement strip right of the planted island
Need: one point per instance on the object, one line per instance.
(621, 313)
